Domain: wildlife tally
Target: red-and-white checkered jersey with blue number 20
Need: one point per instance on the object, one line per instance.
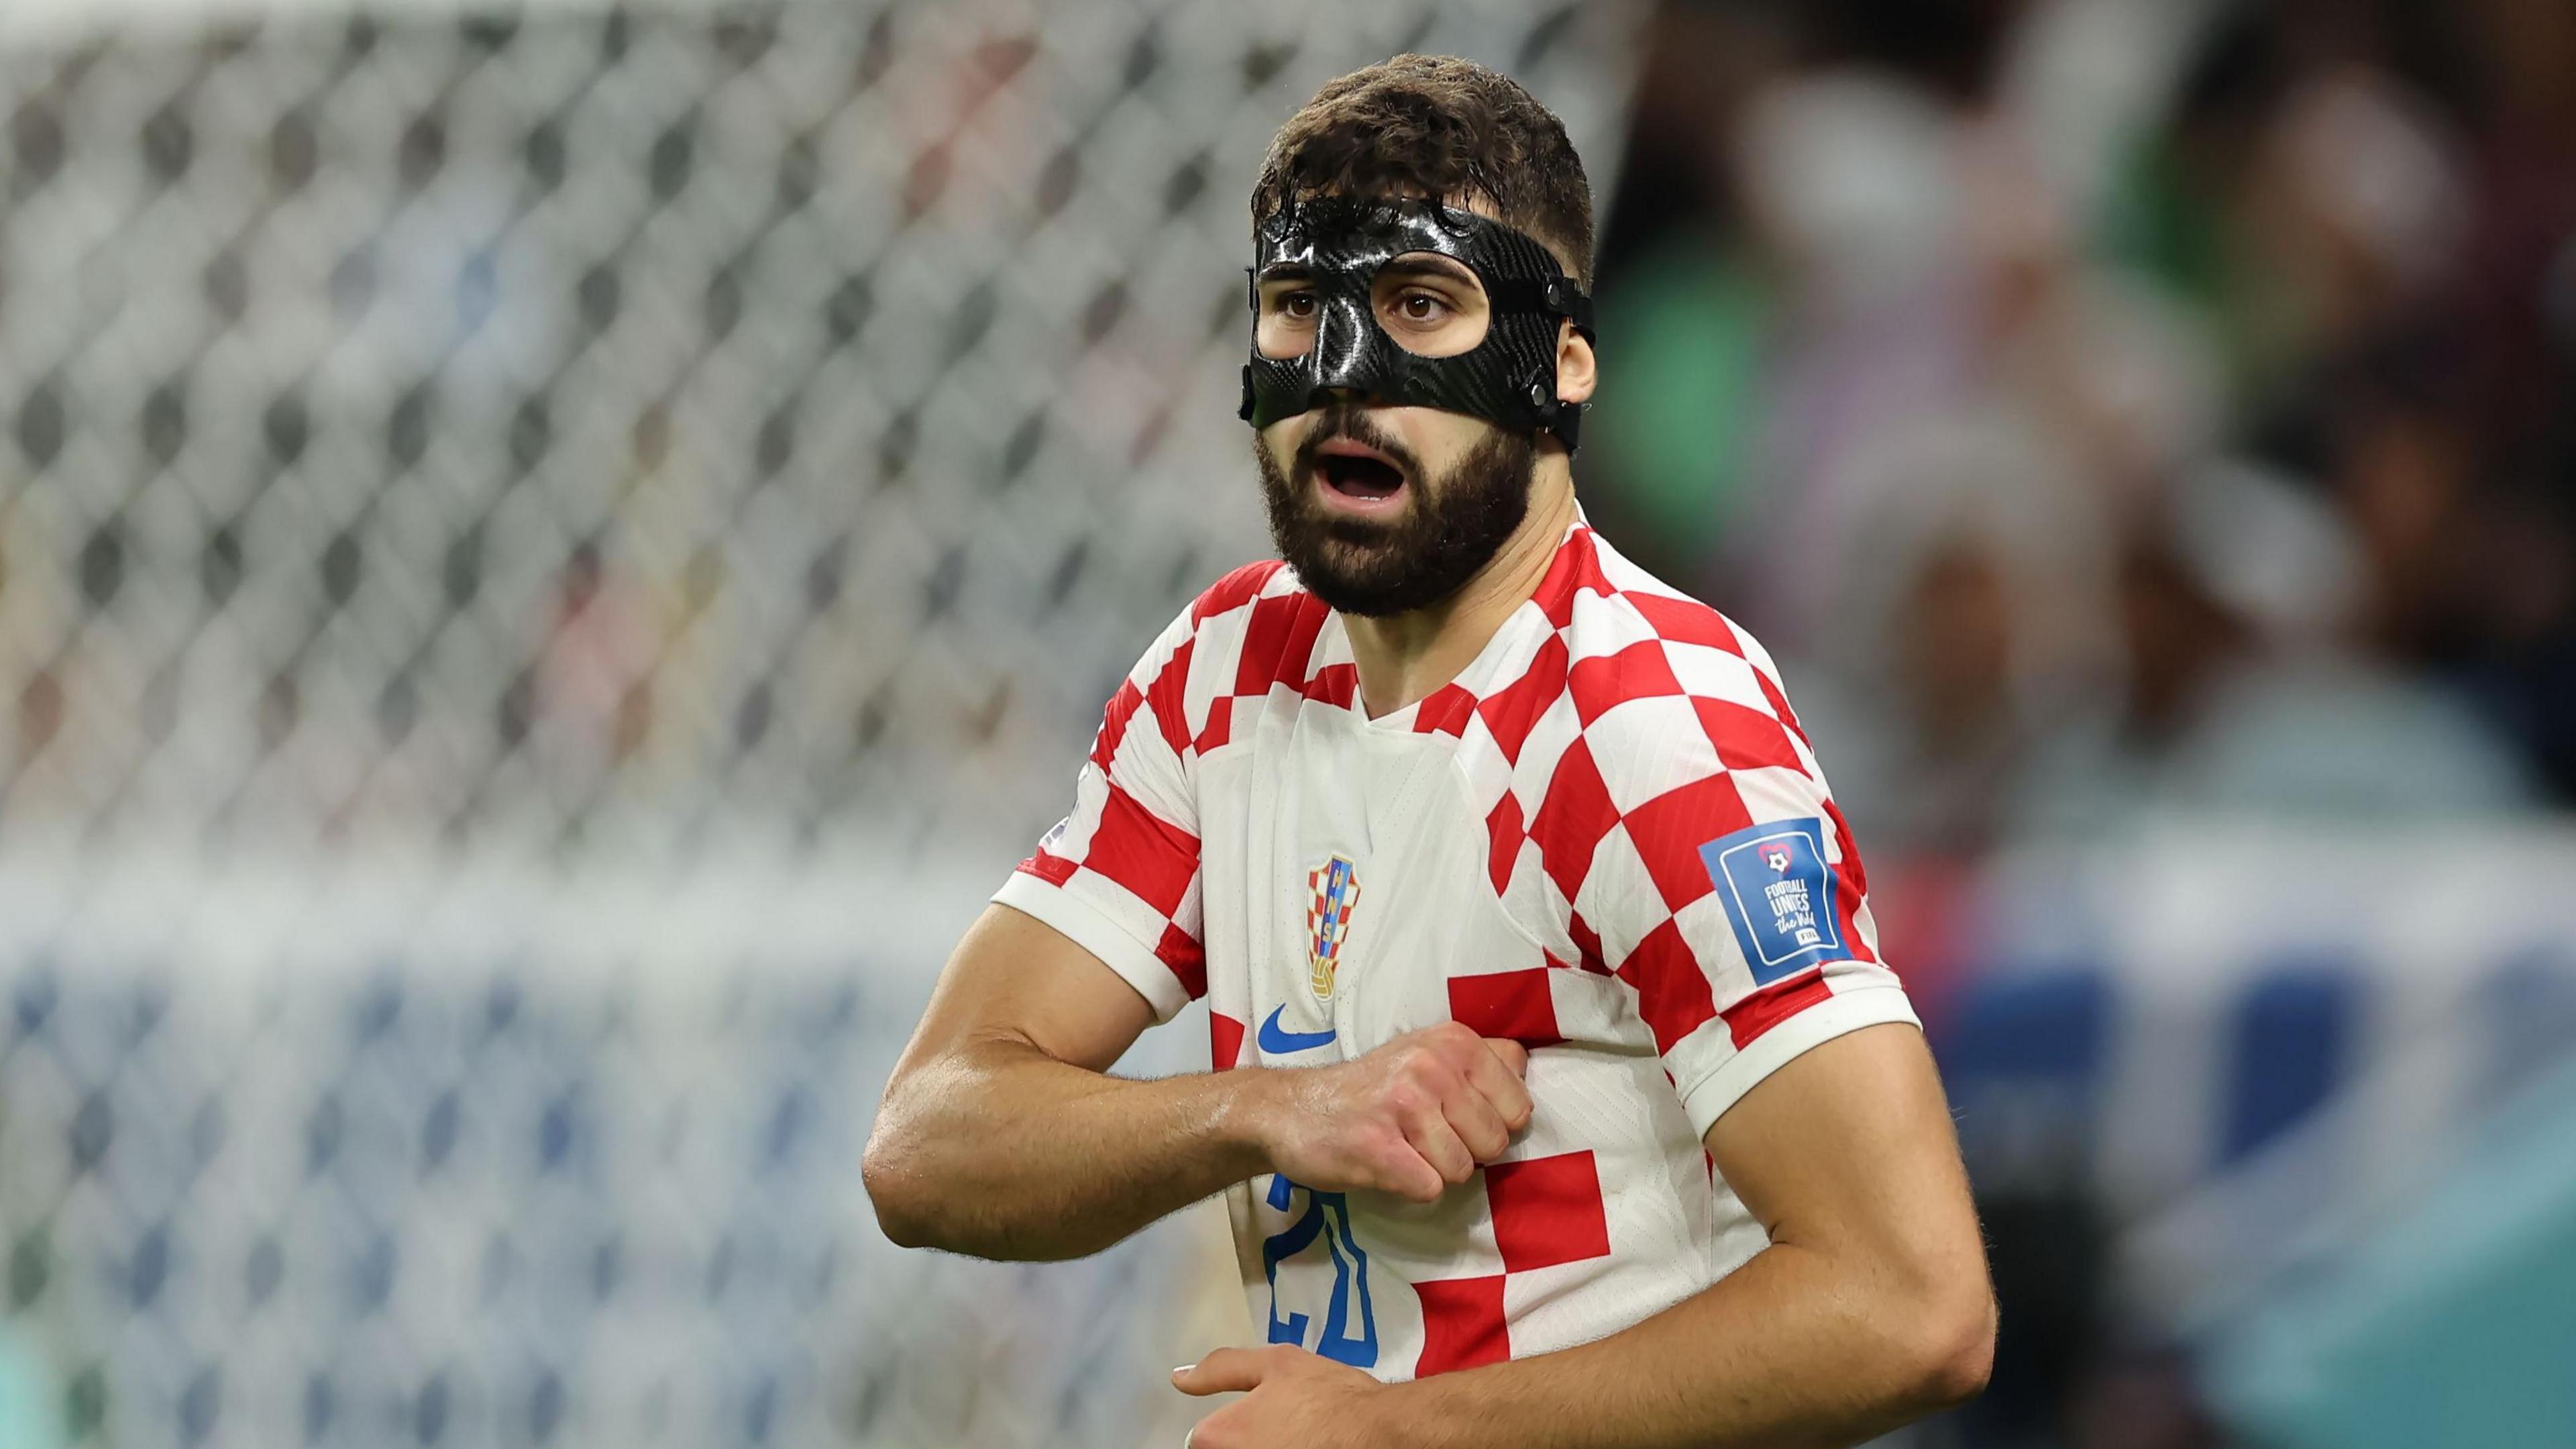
(1606, 839)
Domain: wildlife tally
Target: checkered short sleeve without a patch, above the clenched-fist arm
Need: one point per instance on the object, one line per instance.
(1119, 875)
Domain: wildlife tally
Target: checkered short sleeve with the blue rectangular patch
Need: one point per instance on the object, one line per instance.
(1727, 891)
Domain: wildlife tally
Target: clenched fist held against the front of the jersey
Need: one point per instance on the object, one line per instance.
(1410, 1118)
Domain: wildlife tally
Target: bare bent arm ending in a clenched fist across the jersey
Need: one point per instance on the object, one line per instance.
(1003, 1133)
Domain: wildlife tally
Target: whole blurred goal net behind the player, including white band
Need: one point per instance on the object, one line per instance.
(519, 538)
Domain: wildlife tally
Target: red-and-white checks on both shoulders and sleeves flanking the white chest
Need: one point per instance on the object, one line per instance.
(1611, 731)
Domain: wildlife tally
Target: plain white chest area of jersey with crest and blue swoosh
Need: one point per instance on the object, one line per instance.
(1356, 893)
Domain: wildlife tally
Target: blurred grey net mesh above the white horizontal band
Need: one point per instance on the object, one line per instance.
(609, 427)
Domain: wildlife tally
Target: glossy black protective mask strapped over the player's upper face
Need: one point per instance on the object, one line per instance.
(1343, 241)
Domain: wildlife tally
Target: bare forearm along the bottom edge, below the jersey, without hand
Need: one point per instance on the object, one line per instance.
(1792, 1350)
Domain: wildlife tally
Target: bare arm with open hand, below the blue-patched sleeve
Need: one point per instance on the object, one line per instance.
(1866, 1311)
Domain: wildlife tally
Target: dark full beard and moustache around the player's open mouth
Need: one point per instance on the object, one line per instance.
(1449, 530)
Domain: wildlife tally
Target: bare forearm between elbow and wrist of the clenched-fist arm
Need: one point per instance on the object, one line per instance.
(1003, 1151)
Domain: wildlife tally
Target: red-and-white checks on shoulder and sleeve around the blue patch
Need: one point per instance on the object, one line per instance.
(1640, 728)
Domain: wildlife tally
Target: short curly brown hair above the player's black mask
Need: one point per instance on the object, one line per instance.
(1444, 128)
